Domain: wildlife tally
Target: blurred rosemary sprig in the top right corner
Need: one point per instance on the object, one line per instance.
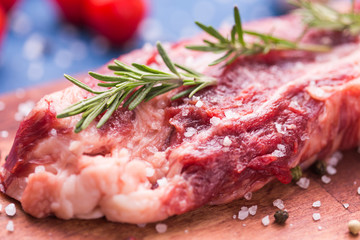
(321, 16)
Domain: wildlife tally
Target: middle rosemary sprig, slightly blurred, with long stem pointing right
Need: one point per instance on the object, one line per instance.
(236, 46)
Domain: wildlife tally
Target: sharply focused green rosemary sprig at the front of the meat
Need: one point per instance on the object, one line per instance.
(132, 85)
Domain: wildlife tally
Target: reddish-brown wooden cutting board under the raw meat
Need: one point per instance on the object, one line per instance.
(209, 222)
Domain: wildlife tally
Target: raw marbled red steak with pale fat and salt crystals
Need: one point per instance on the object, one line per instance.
(267, 115)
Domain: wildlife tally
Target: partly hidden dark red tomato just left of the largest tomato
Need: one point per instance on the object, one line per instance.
(71, 10)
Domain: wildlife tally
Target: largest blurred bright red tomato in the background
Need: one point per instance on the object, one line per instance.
(117, 20)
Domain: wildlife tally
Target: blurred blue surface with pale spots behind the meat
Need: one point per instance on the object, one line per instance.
(39, 47)
